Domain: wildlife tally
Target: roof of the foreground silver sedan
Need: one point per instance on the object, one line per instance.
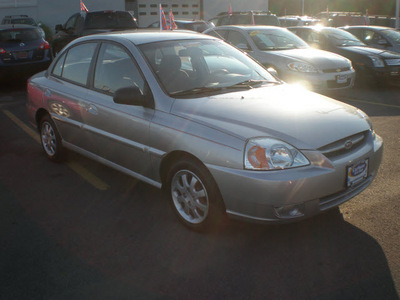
(145, 36)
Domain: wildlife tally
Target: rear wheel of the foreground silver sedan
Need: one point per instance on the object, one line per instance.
(50, 139)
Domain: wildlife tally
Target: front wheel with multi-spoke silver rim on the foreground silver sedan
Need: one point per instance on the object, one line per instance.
(195, 197)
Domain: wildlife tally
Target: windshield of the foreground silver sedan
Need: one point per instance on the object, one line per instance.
(193, 67)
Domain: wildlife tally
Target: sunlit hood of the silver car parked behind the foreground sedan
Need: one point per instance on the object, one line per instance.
(320, 58)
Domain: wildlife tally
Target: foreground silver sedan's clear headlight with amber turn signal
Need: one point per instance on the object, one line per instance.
(272, 154)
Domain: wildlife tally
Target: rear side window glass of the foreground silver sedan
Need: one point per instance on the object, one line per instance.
(77, 63)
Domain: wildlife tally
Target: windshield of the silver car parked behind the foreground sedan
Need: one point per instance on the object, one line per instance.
(276, 39)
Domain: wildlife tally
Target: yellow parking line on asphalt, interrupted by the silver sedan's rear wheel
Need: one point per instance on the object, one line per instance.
(77, 168)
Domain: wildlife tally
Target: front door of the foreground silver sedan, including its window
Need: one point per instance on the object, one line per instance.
(119, 133)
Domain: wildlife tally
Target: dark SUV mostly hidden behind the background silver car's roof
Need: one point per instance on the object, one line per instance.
(246, 18)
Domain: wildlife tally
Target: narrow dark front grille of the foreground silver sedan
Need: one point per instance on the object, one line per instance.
(343, 146)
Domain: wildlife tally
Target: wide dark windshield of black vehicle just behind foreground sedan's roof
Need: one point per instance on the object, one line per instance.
(109, 20)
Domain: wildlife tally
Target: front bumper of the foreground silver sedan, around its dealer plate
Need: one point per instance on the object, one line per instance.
(256, 195)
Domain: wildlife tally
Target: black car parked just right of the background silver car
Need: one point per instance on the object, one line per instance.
(371, 64)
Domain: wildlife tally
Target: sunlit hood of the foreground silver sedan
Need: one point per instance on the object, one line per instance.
(304, 119)
